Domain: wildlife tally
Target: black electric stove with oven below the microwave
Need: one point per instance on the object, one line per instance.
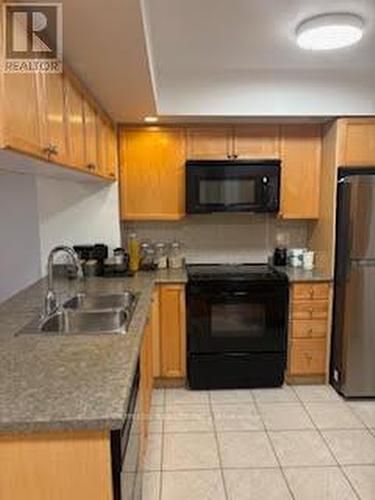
(237, 319)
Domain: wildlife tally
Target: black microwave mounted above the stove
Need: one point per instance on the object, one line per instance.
(232, 186)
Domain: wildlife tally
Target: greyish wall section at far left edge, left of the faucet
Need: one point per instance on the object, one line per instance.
(19, 233)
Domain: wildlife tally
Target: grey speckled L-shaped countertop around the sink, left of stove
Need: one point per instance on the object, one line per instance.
(70, 382)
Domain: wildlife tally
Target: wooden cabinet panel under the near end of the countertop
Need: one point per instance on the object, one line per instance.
(56, 465)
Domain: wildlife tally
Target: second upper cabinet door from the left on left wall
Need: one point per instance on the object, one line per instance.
(54, 118)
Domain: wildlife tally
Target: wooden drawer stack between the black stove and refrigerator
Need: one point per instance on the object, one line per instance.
(308, 329)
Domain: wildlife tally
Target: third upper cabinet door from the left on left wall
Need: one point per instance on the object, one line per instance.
(75, 125)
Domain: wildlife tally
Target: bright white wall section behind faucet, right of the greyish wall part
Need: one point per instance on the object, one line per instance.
(73, 213)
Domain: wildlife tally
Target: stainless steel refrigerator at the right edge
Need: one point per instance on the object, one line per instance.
(353, 342)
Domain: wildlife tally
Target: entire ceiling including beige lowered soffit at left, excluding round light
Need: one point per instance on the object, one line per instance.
(216, 58)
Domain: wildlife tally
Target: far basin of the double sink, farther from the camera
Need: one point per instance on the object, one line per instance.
(125, 300)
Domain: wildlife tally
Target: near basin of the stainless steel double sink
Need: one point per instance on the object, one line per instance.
(85, 322)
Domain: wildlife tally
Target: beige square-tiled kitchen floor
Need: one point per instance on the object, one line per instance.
(301, 443)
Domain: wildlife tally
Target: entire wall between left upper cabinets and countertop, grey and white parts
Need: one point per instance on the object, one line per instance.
(38, 213)
